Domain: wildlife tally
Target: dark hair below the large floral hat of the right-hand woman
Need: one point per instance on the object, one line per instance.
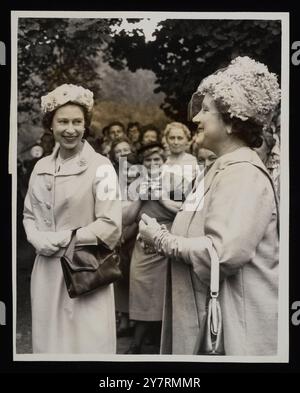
(247, 130)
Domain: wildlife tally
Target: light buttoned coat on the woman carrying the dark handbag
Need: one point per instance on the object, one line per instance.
(83, 192)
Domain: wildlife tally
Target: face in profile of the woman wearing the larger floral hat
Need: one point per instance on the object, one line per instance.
(211, 131)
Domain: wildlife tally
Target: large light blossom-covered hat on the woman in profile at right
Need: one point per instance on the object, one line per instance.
(245, 88)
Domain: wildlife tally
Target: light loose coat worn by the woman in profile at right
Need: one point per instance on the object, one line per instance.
(236, 208)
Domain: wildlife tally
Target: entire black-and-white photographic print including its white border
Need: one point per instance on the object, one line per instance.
(149, 155)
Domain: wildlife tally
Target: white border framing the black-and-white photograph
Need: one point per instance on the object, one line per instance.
(283, 312)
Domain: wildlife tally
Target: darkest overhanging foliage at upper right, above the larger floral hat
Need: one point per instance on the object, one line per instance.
(185, 51)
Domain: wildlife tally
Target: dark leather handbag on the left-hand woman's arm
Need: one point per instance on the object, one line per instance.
(86, 268)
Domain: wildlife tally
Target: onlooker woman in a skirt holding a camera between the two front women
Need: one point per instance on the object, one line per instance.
(148, 269)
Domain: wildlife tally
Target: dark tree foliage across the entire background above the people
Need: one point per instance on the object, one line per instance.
(52, 51)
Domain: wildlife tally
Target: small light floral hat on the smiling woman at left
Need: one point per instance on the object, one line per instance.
(67, 93)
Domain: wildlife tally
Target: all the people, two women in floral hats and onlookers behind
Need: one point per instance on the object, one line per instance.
(161, 297)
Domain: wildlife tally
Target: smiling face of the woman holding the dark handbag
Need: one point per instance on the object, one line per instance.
(68, 128)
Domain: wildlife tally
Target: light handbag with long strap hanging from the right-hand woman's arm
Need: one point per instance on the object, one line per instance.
(210, 340)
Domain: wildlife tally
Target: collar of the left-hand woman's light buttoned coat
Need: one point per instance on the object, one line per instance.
(72, 167)
